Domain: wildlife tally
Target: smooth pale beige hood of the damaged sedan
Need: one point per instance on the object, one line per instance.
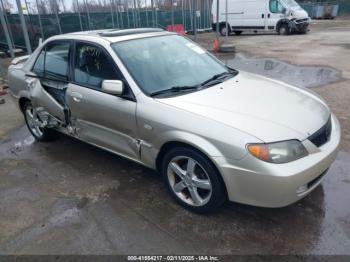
(264, 108)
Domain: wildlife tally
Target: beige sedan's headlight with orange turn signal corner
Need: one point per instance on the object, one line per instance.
(279, 152)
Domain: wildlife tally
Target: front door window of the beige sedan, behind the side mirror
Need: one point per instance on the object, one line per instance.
(92, 66)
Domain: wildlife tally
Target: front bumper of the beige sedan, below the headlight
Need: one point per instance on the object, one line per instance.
(258, 183)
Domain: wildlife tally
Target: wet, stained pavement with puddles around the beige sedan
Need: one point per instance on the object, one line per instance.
(67, 197)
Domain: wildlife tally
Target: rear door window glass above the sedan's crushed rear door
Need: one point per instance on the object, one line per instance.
(53, 61)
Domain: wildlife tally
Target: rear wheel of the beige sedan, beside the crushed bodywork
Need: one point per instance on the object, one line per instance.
(34, 123)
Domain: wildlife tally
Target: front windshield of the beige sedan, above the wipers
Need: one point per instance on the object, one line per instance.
(161, 63)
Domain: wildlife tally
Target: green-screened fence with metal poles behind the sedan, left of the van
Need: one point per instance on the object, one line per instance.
(45, 18)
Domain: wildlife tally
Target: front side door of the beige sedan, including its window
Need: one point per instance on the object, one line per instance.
(100, 118)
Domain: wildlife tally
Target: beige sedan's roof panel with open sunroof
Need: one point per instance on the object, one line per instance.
(114, 35)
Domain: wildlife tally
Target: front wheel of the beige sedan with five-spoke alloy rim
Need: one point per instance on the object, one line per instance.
(192, 180)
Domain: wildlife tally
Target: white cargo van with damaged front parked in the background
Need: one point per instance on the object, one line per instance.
(282, 16)
